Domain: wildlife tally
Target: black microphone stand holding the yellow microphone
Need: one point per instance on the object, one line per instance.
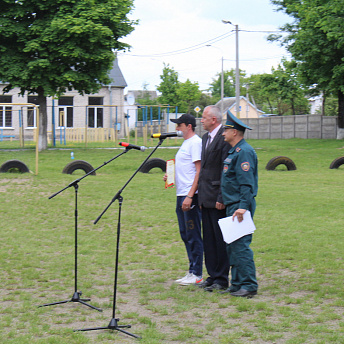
(113, 324)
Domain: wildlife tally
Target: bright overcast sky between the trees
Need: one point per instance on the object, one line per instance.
(177, 32)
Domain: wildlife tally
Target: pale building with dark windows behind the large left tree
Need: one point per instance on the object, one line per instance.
(104, 109)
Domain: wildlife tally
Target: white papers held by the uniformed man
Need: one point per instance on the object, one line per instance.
(233, 230)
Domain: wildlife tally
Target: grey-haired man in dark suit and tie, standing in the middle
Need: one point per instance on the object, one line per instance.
(214, 152)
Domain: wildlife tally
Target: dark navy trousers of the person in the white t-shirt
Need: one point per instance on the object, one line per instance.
(190, 232)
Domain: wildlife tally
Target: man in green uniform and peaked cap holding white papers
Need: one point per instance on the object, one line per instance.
(239, 185)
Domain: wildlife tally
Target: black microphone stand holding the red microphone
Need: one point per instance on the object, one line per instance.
(77, 294)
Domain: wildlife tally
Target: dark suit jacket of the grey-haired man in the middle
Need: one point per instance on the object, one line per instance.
(209, 191)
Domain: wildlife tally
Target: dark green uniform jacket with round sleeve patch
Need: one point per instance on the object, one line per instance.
(239, 182)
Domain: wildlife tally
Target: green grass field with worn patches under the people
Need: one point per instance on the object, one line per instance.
(298, 246)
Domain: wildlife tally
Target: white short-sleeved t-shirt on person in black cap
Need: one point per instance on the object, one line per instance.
(188, 153)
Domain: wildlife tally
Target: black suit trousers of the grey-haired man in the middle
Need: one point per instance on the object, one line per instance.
(215, 255)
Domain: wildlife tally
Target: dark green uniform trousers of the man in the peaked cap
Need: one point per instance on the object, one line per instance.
(240, 256)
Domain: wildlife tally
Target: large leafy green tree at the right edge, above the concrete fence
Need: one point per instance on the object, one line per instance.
(316, 41)
